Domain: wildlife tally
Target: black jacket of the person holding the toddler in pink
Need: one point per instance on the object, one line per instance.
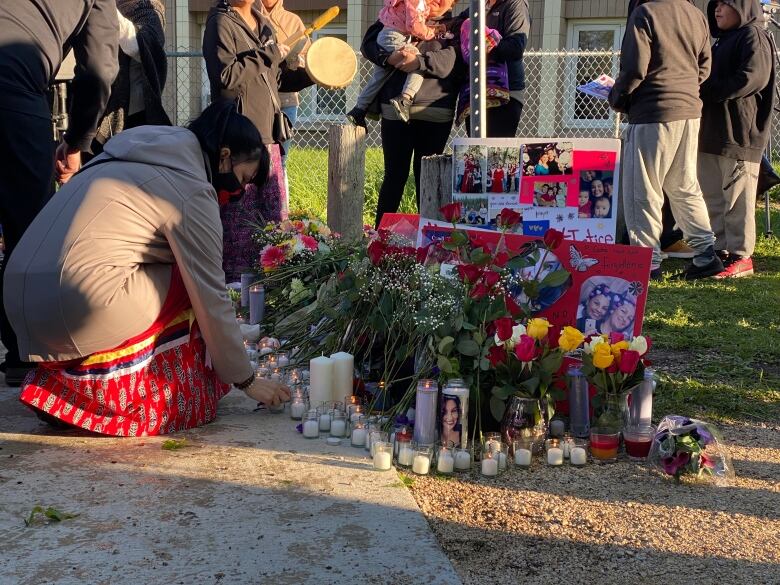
(440, 64)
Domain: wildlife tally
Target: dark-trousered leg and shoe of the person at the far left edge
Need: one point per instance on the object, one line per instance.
(27, 150)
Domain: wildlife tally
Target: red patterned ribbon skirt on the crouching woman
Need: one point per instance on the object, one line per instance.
(155, 383)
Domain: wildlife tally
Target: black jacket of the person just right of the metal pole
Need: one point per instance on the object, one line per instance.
(510, 18)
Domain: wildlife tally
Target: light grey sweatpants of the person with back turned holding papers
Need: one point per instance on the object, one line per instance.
(658, 158)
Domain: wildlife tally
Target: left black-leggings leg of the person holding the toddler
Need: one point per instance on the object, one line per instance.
(397, 147)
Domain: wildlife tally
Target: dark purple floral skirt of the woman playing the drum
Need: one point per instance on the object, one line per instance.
(240, 253)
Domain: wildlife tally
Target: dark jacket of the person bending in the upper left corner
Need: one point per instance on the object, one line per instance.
(34, 37)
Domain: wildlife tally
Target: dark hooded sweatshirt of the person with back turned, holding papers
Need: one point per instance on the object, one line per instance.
(664, 58)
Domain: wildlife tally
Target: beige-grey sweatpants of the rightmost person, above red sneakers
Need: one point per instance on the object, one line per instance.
(729, 188)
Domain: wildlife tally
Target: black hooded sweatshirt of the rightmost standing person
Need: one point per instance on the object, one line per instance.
(738, 97)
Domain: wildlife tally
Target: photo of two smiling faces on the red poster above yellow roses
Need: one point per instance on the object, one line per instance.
(606, 306)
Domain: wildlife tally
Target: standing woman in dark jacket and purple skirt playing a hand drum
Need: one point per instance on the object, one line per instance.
(246, 64)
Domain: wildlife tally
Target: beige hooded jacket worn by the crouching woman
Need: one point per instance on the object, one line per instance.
(94, 267)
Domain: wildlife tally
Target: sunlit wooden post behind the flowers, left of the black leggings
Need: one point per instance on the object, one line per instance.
(346, 179)
